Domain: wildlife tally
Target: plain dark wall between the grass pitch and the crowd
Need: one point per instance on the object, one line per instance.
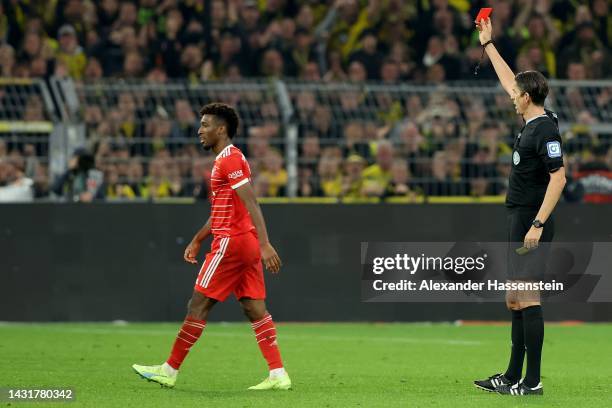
(74, 262)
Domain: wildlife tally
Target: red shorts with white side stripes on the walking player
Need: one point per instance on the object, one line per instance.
(233, 265)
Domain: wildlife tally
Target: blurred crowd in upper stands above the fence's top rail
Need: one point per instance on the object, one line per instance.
(387, 40)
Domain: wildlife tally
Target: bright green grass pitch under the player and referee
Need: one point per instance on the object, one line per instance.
(331, 365)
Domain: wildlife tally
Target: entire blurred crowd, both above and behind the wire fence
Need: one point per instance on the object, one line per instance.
(409, 145)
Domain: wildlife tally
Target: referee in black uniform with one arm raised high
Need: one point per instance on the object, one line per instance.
(536, 183)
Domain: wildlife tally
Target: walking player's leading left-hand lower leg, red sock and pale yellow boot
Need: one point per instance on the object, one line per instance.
(190, 331)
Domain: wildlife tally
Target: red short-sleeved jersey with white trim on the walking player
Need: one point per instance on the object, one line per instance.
(229, 215)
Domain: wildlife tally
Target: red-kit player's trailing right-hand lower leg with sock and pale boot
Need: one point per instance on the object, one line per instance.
(265, 335)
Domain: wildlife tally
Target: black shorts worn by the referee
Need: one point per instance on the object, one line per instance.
(531, 266)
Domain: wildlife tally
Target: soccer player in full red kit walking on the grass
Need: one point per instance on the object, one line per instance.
(234, 264)
